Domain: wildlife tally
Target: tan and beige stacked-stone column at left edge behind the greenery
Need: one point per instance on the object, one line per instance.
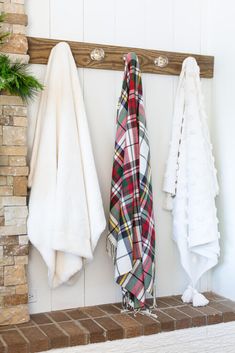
(13, 179)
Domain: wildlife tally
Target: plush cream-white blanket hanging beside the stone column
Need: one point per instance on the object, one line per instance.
(66, 216)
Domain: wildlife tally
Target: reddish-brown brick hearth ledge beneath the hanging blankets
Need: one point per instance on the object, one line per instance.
(106, 322)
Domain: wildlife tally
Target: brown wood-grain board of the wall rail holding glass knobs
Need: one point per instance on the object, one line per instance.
(39, 51)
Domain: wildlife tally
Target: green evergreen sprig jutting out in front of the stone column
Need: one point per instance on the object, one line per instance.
(16, 79)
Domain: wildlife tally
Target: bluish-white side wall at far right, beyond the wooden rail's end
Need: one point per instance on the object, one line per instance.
(222, 28)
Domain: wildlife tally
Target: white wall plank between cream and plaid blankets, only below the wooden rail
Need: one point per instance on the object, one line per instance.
(100, 103)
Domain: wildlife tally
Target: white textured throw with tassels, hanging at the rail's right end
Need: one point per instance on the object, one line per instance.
(191, 183)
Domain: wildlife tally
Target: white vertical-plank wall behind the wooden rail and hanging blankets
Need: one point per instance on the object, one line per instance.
(176, 25)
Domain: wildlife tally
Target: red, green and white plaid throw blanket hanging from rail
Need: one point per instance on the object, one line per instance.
(131, 241)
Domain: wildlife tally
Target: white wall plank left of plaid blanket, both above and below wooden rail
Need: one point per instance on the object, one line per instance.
(99, 95)
